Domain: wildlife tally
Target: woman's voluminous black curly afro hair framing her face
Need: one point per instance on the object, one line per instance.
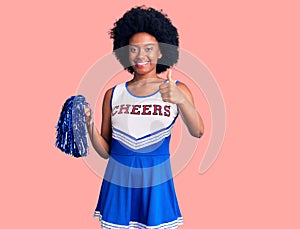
(149, 20)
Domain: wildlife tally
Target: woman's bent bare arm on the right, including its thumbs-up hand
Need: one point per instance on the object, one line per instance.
(181, 95)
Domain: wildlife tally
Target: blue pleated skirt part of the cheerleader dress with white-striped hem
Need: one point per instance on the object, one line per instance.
(138, 192)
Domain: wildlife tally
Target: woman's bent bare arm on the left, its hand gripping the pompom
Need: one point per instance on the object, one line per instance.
(101, 142)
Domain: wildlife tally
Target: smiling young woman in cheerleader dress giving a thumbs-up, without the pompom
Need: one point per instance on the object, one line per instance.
(137, 118)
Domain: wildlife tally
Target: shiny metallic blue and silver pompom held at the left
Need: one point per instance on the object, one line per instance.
(71, 127)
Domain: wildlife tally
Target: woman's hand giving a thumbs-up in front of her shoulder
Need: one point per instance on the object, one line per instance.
(170, 92)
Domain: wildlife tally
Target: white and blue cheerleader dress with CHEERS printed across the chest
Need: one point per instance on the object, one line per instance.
(138, 190)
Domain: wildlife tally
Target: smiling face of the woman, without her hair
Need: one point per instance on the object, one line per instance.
(143, 53)
